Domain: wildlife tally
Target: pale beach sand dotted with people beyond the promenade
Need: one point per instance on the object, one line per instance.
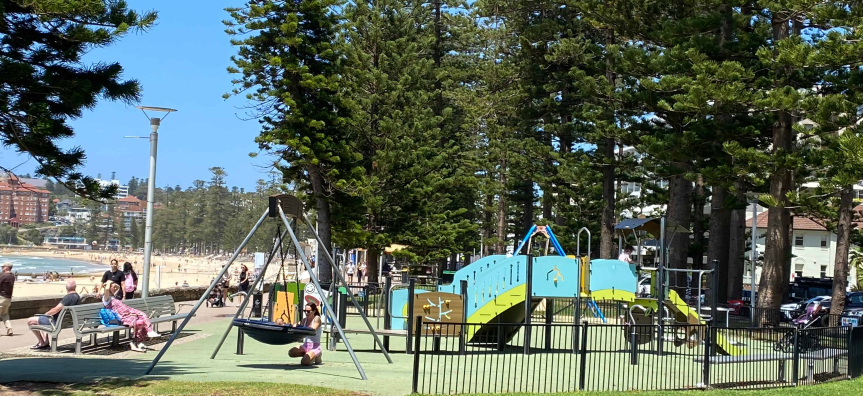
(175, 270)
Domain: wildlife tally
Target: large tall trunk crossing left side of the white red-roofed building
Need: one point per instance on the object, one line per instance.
(778, 217)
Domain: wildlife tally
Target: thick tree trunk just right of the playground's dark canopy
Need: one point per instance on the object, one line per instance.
(679, 211)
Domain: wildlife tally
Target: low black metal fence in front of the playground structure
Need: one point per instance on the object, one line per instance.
(550, 357)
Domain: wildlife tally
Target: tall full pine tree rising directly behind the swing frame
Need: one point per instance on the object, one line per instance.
(289, 67)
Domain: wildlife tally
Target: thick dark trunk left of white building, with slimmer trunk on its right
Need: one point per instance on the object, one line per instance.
(720, 235)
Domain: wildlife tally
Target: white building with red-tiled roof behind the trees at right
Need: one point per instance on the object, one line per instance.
(813, 248)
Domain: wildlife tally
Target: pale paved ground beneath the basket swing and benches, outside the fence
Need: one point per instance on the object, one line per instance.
(189, 360)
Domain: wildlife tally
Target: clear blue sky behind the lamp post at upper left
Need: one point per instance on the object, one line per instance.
(181, 63)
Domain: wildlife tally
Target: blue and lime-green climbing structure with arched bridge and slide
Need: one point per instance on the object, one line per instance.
(502, 289)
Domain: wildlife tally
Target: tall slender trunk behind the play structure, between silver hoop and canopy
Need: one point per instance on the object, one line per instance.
(606, 240)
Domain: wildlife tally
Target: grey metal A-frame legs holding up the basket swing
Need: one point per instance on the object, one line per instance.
(277, 206)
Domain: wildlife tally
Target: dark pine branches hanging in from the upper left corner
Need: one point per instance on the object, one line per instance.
(43, 42)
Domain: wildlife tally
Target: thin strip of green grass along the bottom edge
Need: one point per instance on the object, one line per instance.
(182, 388)
